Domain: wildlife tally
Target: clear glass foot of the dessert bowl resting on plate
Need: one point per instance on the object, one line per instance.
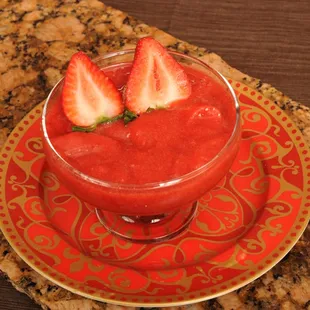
(147, 229)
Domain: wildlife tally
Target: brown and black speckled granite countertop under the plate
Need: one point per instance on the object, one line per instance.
(37, 39)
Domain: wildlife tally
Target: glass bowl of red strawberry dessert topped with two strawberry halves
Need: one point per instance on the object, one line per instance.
(143, 136)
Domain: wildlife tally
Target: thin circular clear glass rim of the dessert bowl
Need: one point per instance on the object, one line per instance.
(152, 185)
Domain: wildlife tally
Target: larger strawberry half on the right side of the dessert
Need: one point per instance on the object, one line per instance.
(156, 80)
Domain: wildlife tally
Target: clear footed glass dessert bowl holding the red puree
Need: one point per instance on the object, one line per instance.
(145, 212)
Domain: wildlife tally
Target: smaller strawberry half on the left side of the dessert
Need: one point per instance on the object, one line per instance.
(89, 96)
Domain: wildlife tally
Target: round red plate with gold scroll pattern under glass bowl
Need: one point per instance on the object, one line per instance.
(243, 227)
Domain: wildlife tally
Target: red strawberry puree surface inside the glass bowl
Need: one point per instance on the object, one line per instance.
(159, 145)
